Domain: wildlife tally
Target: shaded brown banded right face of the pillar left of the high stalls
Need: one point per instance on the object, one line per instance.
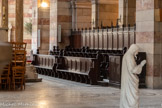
(64, 18)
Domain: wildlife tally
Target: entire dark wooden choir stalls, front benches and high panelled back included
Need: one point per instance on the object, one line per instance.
(93, 55)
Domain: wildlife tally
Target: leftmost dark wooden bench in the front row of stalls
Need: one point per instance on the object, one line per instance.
(45, 64)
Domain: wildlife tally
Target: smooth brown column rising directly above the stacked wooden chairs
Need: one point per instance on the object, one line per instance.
(19, 20)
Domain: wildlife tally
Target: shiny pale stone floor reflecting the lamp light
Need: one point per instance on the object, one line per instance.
(58, 93)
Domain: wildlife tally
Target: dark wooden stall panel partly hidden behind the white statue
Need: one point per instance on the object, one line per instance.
(115, 67)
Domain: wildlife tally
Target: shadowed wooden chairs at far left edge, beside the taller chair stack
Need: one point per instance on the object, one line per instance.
(5, 77)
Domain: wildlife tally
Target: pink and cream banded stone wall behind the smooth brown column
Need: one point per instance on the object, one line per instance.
(27, 17)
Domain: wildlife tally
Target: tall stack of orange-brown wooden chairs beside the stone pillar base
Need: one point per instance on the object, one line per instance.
(18, 68)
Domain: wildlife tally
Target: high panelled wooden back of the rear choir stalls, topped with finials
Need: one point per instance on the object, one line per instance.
(106, 39)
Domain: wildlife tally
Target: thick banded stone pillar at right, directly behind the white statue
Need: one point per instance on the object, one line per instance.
(148, 37)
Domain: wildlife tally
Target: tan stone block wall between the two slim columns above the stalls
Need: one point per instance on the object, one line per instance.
(108, 13)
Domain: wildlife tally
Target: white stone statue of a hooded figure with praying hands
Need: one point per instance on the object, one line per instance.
(129, 80)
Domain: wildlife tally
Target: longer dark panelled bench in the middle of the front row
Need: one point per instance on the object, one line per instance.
(78, 69)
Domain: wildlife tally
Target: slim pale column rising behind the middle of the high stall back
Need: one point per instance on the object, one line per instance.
(95, 13)
